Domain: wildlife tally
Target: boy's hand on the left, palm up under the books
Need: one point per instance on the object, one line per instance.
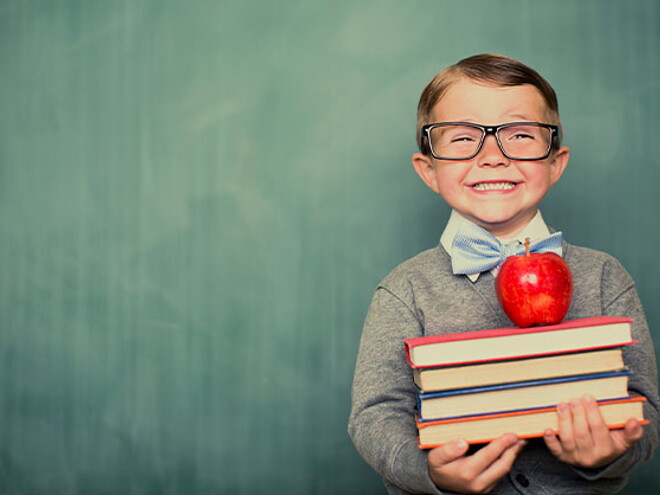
(451, 469)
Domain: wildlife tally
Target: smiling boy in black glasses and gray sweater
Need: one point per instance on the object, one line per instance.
(489, 138)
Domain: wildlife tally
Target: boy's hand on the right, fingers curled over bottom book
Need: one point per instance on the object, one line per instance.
(584, 438)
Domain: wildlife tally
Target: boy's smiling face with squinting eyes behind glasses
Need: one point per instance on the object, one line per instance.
(491, 190)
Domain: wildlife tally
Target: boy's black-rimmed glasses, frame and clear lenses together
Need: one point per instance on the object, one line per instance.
(463, 140)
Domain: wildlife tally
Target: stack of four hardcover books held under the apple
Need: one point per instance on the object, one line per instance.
(481, 384)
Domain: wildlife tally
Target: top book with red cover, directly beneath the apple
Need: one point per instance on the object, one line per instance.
(475, 346)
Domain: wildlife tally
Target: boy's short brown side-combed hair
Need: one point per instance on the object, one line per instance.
(486, 68)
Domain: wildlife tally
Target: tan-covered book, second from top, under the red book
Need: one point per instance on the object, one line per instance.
(491, 373)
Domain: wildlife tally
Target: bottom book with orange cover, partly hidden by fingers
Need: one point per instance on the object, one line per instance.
(526, 424)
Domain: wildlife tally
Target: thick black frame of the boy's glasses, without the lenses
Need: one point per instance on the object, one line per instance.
(487, 130)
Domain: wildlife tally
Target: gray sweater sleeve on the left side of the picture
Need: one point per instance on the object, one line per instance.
(381, 422)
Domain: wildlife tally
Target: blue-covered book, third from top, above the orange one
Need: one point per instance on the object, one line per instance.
(520, 395)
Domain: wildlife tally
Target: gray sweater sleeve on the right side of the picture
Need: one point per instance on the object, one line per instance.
(619, 298)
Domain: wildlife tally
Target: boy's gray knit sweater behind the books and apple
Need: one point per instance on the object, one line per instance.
(423, 297)
